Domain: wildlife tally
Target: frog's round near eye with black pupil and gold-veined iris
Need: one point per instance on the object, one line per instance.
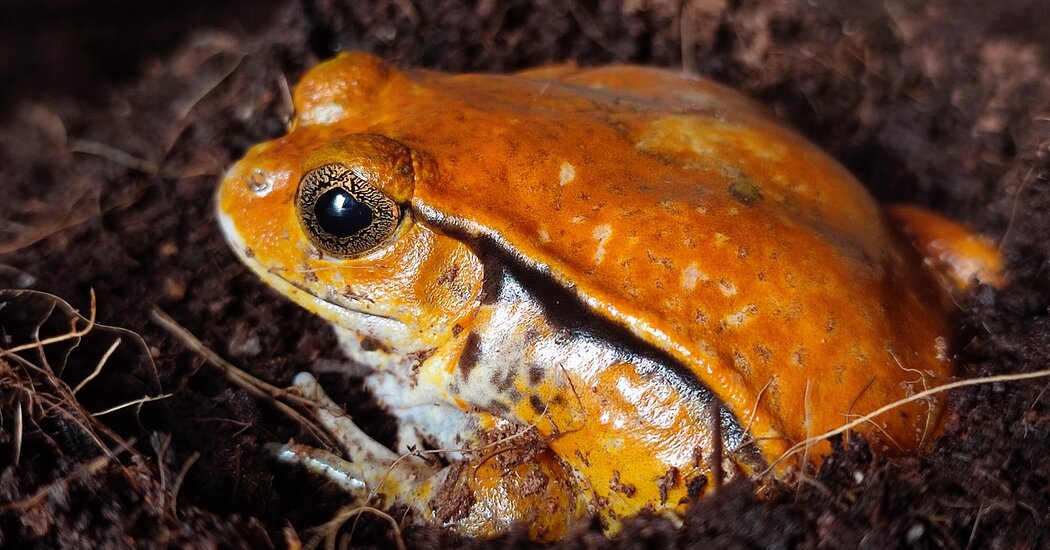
(344, 215)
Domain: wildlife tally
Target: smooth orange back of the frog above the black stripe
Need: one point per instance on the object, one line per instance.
(686, 214)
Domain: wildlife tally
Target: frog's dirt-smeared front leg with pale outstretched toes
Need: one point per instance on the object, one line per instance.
(510, 478)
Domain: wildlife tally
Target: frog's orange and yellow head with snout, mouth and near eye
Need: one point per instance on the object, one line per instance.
(329, 223)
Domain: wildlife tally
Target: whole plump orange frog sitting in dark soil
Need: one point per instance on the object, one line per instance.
(589, 292)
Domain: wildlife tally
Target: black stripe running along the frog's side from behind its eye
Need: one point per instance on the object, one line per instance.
(568, 313)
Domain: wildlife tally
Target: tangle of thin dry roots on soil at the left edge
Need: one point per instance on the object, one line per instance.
(48, 366)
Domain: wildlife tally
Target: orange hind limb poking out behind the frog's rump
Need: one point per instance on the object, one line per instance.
(954, 250)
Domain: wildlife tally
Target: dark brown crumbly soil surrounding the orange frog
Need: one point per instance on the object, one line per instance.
(117, 123)
